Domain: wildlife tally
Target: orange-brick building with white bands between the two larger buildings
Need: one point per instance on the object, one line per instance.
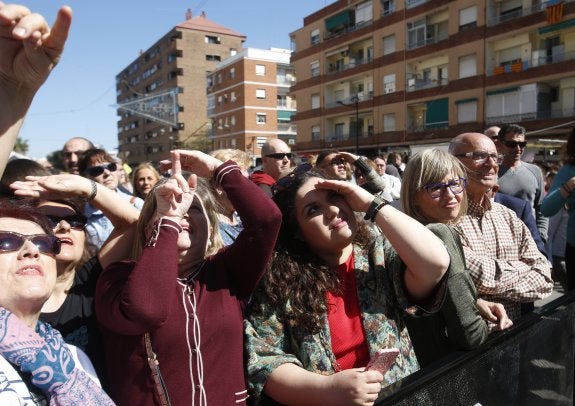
(248, 100)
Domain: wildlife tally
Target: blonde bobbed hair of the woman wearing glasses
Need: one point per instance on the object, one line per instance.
(423, 168)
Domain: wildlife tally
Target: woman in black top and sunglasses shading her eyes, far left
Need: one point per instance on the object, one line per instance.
(70, 308)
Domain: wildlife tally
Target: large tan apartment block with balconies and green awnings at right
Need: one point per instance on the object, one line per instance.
(401, 75)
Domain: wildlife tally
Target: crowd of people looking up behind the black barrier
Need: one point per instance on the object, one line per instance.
(218, 284)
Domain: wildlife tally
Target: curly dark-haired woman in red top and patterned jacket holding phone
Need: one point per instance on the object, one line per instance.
(335, 294)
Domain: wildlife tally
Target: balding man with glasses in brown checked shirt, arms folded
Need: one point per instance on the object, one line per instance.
(501, 256)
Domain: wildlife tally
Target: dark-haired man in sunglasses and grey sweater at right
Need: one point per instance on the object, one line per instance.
(519, 178)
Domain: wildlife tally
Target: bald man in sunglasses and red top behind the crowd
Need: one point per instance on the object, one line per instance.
(276, 163)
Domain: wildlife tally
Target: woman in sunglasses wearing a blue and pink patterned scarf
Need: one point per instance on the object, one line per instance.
(36, 366)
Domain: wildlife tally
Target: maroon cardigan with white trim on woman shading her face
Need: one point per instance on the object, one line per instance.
(134, 298)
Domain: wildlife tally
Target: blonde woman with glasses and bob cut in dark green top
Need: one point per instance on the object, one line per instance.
(433, 193)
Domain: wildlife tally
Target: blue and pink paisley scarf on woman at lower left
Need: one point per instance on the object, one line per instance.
(44, 354)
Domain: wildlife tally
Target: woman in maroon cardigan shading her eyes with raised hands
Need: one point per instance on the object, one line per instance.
(190, 302)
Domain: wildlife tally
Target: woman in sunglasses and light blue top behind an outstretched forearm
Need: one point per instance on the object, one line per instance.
(96, 164)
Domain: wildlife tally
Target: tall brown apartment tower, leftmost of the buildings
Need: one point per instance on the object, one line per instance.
(168, 82)
